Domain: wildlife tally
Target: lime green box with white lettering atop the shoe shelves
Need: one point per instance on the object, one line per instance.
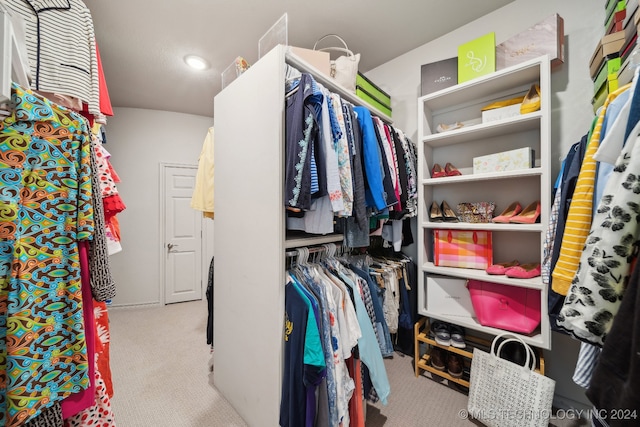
(477, 57)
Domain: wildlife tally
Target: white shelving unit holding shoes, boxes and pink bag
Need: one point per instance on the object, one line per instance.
(510, 241)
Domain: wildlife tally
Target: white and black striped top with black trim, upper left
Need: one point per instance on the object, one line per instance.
(61, 48)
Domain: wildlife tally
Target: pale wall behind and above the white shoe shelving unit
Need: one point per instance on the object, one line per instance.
(572, 90)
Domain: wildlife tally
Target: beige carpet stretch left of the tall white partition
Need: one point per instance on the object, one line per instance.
(160, 366)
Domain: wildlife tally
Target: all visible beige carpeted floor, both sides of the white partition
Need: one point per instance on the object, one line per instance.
(160, 365)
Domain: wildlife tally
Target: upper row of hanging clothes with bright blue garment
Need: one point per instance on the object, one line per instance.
(344, 163)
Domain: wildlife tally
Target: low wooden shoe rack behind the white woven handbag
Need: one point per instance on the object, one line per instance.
(422, 361)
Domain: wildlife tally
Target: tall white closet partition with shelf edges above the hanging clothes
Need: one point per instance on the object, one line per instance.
(250, 237)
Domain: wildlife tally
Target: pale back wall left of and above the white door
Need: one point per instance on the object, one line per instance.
(139, 140)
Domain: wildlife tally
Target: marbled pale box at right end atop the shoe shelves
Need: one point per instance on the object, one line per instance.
(544, 38)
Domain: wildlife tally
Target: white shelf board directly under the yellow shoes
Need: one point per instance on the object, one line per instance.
(525, 122)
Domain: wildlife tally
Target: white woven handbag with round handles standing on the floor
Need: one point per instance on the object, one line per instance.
(505, 394)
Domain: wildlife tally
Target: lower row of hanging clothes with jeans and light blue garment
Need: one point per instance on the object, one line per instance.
(341, 291)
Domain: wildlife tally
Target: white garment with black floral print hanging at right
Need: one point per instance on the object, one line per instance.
(605, 264)
